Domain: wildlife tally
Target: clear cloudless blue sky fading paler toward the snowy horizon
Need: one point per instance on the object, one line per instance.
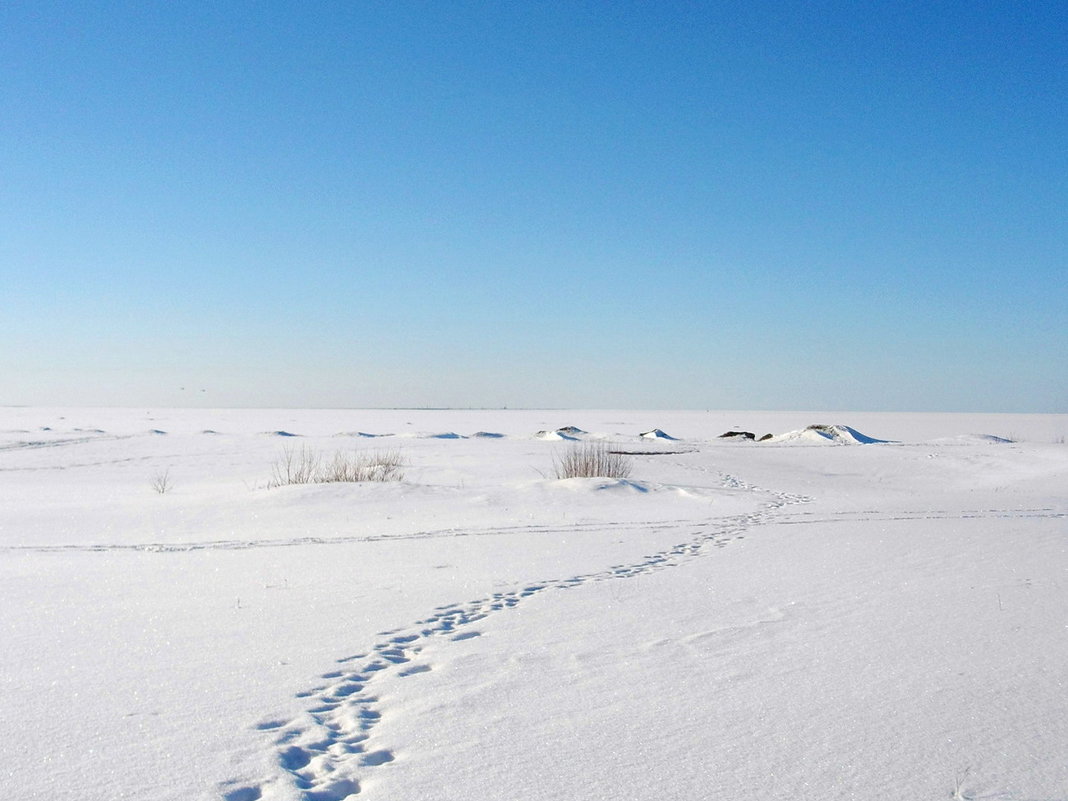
(762, 206)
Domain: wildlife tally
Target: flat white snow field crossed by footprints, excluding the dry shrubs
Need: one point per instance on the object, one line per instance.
(875, 609)
